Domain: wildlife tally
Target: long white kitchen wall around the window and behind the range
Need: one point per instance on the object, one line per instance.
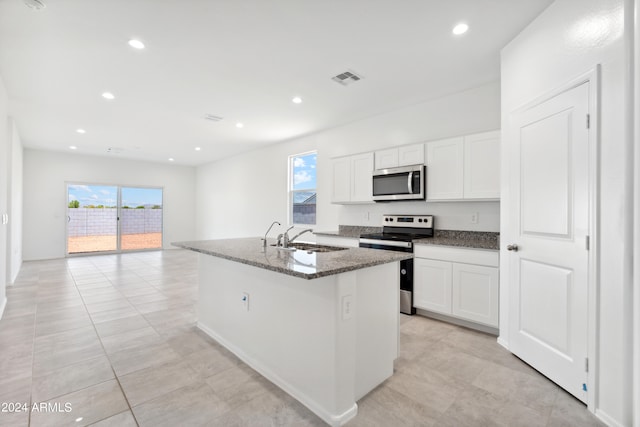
(242, 195)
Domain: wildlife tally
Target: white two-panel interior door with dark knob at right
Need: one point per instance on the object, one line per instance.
(550, 221)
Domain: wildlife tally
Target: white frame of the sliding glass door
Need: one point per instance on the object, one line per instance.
(118, 249)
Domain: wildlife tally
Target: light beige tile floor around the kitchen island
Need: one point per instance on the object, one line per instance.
(110, 341)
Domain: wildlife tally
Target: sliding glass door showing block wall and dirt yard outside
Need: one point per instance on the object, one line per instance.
(103, 218)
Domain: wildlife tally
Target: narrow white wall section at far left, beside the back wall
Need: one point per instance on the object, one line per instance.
(15, 205)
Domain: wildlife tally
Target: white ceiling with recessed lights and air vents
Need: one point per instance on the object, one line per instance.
(242, 60)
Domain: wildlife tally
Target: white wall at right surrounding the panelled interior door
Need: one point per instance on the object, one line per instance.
(567, 40)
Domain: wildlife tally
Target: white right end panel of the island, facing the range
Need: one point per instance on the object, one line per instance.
(377, 325)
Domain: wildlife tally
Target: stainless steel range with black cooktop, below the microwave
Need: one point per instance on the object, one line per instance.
(398, 234)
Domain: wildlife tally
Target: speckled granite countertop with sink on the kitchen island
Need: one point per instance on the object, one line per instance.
(299, 263)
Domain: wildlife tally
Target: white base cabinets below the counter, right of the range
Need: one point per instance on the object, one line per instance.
(457, 282)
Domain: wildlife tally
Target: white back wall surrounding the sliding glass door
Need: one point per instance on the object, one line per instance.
(45, 199)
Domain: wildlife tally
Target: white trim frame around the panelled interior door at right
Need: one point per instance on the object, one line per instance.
(593, 77)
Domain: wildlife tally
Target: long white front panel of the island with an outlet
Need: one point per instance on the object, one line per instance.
(293, 332)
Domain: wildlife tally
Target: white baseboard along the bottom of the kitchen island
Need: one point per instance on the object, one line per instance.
(329, 418)
